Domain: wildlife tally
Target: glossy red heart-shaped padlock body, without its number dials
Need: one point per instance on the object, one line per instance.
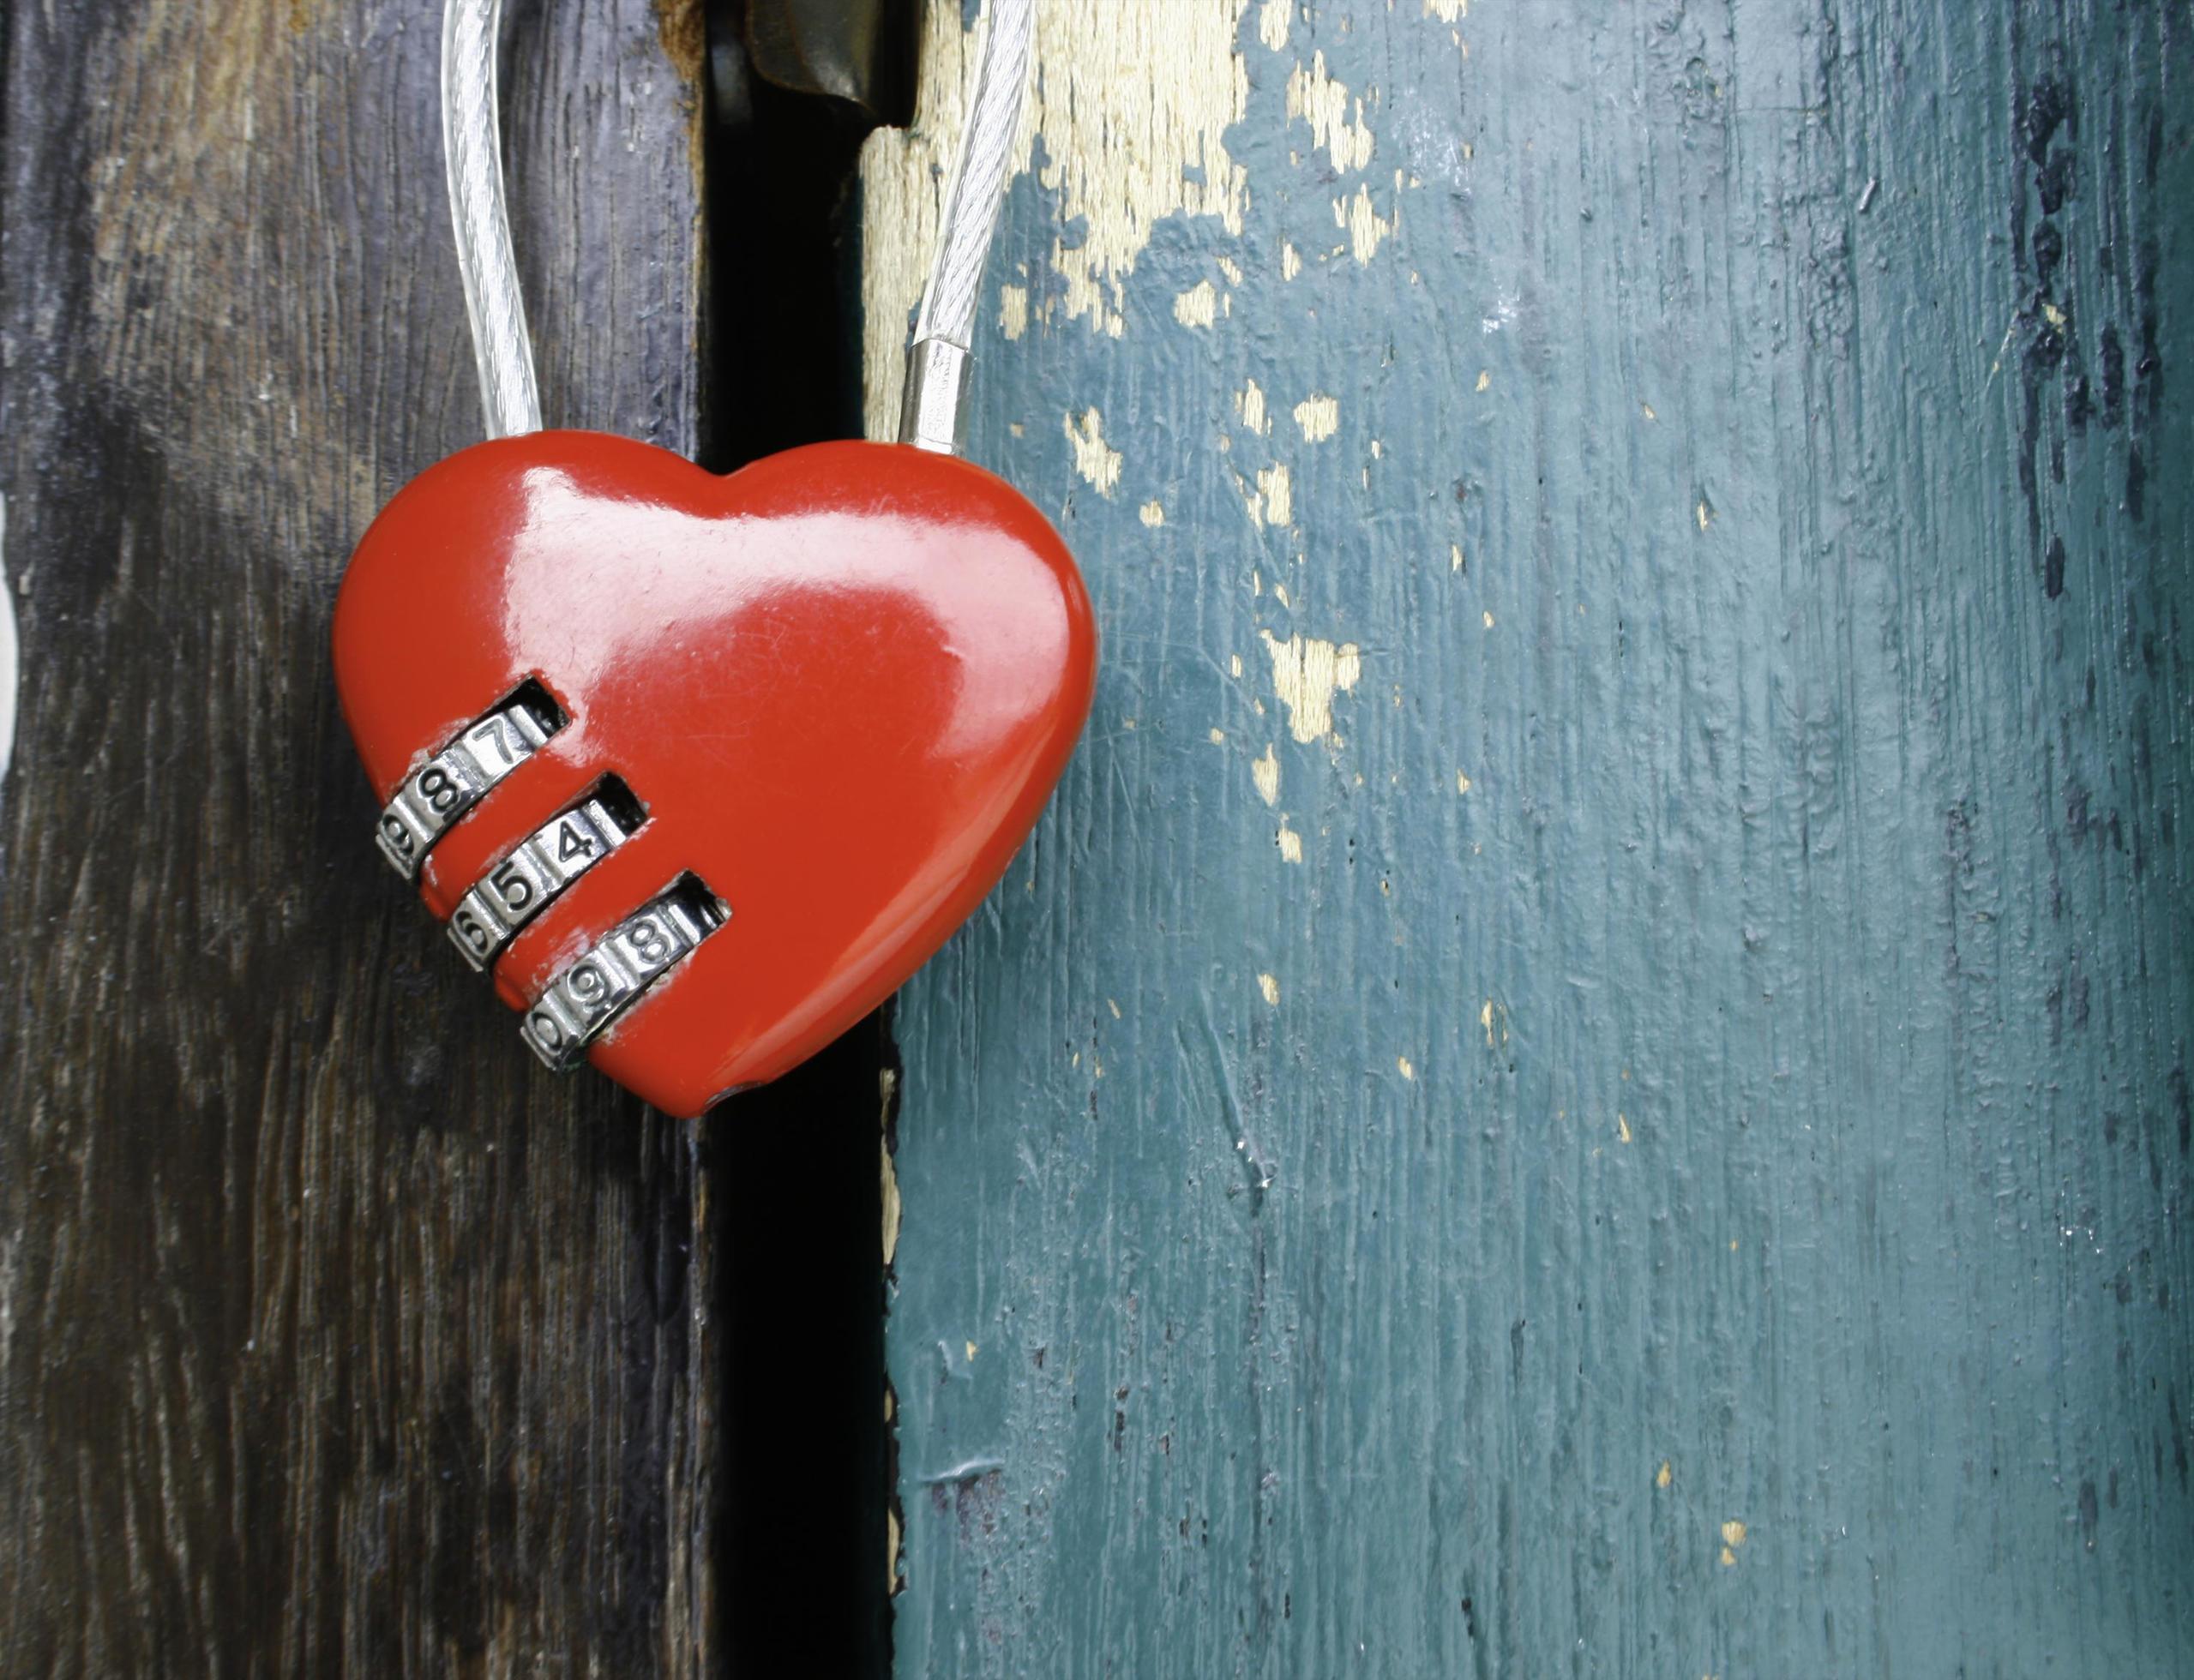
(844, 683)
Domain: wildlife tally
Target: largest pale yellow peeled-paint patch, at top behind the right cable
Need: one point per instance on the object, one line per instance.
(1133, 102)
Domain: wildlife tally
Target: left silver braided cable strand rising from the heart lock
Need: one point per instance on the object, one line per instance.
(473, 148)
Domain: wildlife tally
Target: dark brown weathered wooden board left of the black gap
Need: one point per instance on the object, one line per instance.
(335, 1337)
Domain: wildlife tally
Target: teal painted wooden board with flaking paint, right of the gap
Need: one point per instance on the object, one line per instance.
(1590, 1067)
